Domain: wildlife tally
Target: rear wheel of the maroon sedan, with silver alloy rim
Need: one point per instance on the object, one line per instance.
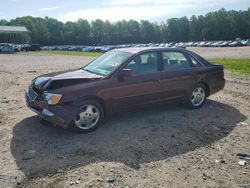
(198, 97)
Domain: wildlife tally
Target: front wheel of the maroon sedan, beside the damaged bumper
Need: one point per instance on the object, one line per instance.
(90, 117)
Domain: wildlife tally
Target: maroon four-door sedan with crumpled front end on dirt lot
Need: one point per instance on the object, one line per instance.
(123, 79)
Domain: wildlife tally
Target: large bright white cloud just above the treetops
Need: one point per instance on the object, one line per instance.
(115, 10)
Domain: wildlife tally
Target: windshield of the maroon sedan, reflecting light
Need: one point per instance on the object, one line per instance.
(107, 63)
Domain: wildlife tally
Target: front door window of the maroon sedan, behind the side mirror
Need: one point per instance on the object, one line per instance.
(144, 64)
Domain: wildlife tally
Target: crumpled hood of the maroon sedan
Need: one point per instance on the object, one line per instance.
(58, 80)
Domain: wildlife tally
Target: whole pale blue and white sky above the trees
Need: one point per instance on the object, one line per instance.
(114, 10)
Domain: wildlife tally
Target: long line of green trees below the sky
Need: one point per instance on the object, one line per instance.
(217, 25)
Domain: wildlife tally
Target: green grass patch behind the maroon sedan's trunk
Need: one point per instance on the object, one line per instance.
(239, 66)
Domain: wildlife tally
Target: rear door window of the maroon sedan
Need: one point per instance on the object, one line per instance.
(174, 61)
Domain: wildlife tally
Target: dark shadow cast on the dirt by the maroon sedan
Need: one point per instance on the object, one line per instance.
(133, 138)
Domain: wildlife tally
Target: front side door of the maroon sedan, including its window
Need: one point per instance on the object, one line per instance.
(142, 88)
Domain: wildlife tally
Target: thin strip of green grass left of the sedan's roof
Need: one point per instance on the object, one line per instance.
(74, 53)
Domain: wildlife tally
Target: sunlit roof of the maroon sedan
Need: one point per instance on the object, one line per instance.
(135, 50)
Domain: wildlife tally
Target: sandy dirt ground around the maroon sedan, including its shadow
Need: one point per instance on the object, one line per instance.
(161, 146)
